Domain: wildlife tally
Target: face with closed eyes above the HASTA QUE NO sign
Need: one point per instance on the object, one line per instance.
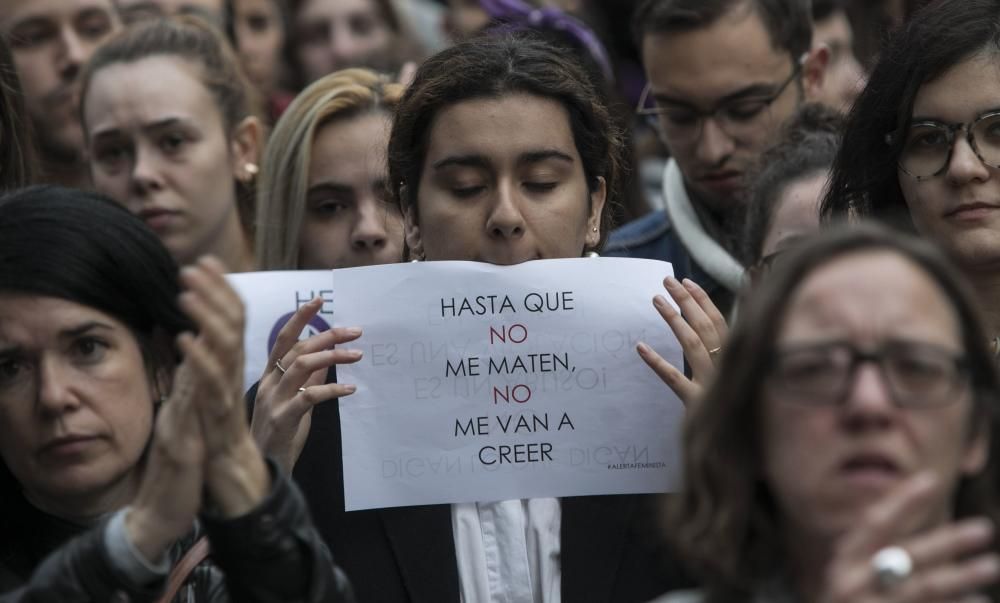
(503, 183)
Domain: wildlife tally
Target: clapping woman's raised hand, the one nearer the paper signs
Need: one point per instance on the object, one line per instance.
(236, 476)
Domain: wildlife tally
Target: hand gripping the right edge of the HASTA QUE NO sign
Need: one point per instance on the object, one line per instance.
(701, 330)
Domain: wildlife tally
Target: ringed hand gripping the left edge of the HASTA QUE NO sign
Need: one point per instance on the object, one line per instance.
(287, 393)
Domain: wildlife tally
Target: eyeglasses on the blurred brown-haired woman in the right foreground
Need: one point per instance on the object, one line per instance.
(918, 374)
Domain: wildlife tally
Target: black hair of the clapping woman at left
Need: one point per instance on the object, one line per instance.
(82, 247)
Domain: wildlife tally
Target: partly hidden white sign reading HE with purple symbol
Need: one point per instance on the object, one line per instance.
(270, 299)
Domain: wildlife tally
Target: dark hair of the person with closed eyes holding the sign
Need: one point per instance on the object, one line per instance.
(493, 66)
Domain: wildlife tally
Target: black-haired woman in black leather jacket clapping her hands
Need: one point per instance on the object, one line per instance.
(120, 427)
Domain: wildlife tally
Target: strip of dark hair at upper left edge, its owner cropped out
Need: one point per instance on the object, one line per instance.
(17, 154)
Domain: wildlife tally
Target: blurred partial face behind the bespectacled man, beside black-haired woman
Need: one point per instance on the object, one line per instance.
(845, 77)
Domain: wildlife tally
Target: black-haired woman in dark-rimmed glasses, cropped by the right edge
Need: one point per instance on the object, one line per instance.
(922, 145)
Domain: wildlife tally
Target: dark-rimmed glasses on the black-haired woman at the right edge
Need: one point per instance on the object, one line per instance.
(928, 146)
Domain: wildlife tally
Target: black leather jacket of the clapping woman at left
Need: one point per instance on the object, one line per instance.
(273, 554)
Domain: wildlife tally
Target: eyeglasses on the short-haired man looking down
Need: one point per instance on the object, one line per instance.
(737, 118)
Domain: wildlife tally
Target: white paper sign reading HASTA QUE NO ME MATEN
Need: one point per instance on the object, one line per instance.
(483, 383)
